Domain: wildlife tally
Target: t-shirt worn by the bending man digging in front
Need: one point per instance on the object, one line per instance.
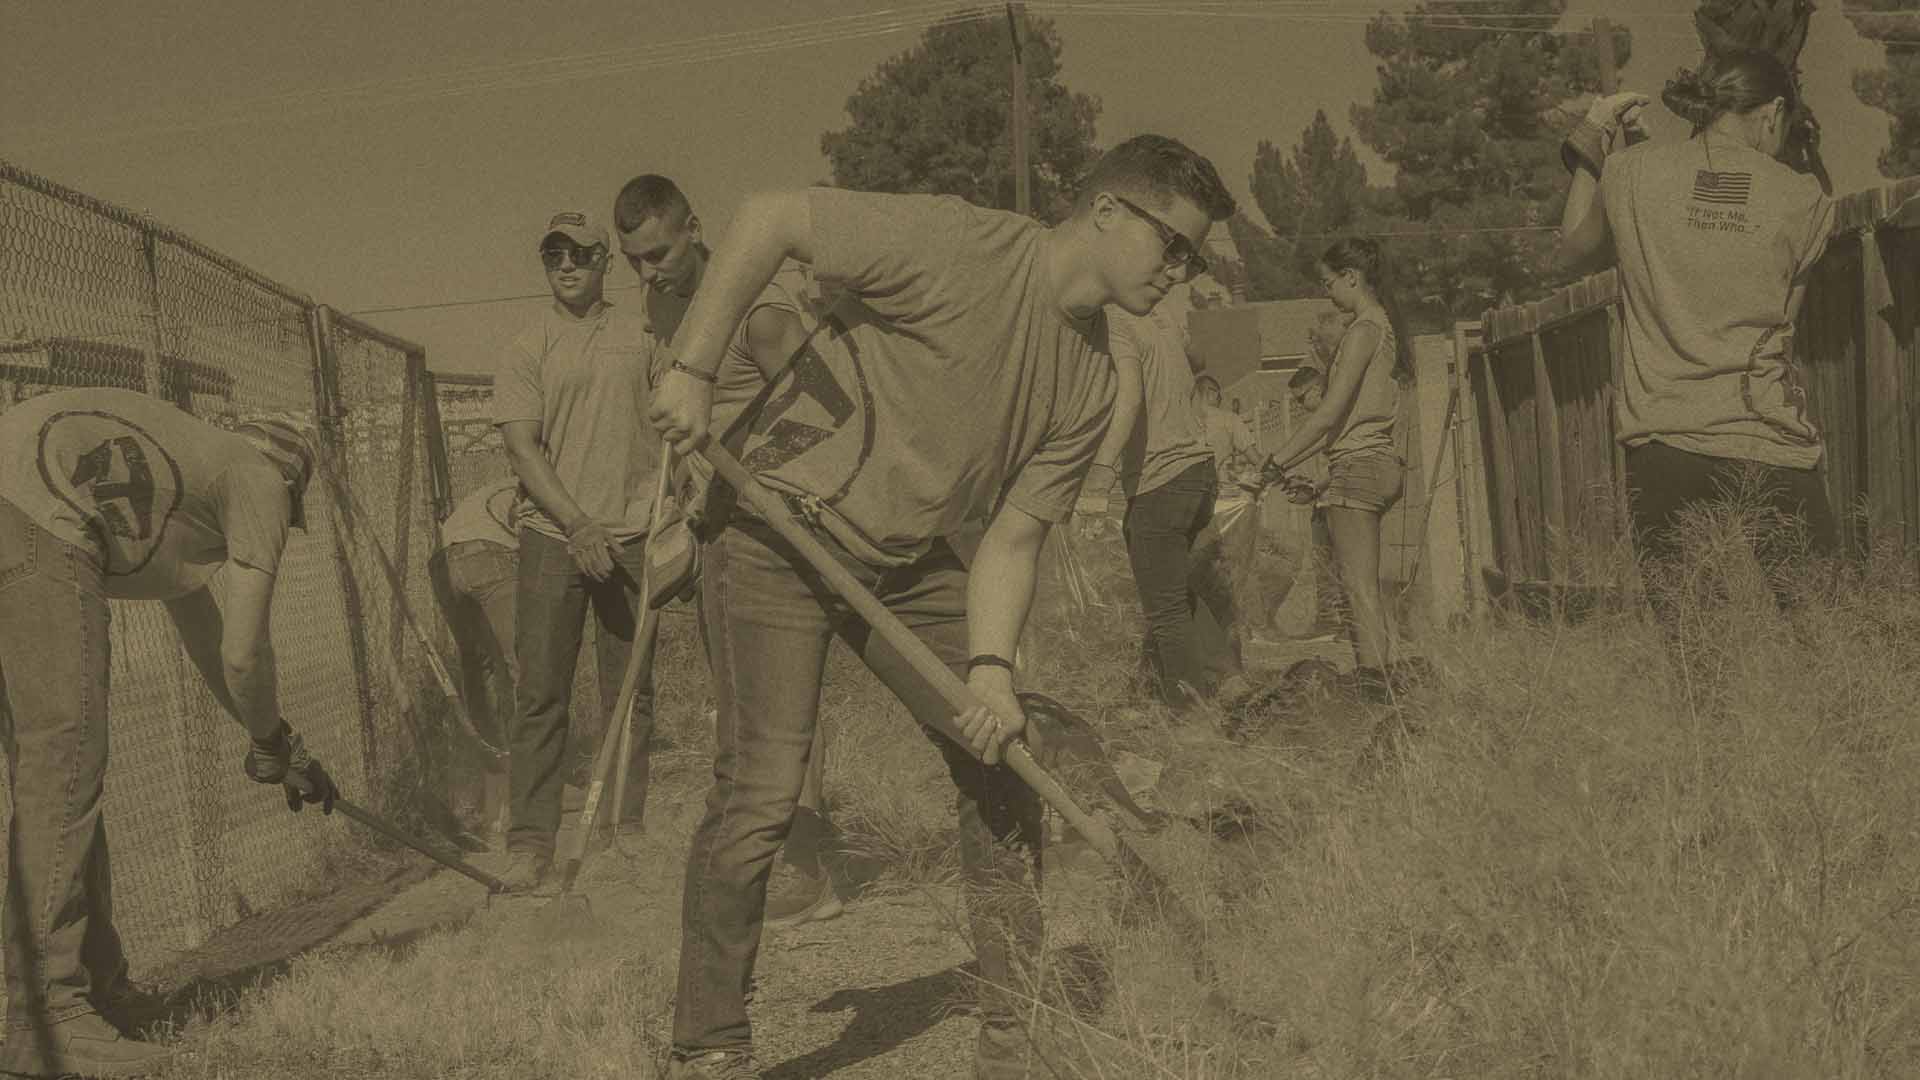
(946, 381)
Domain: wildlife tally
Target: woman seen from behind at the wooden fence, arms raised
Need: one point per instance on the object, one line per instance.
(1714, 239)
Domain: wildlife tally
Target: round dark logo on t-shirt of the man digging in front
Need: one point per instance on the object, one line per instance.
(821, 412)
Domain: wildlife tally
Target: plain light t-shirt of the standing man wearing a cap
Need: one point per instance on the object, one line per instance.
(587, 383)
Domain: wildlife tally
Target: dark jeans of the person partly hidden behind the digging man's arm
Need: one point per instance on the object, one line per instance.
(1161, 531)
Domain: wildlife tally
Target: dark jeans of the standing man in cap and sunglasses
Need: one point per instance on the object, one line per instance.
(554, 601)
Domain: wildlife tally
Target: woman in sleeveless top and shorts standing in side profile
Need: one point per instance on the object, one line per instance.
(1355, 426)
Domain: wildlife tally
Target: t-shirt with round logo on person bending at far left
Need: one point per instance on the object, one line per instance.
(160, 497)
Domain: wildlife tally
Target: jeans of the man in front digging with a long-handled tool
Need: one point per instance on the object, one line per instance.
(769, 626)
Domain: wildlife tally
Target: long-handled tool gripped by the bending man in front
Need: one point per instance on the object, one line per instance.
(1143, 881)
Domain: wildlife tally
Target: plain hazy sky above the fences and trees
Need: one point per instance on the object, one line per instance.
(377, 155)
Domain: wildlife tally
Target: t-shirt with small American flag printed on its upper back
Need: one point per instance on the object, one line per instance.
(1712, 239)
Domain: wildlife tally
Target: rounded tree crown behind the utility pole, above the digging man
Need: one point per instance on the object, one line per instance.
(936, 120)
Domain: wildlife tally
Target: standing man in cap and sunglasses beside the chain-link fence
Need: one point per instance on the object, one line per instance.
(569, 397)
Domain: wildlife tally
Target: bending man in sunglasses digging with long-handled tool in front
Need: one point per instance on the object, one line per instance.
(963, 376)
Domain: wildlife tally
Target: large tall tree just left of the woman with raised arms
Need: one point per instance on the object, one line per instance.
(1472, 109)
